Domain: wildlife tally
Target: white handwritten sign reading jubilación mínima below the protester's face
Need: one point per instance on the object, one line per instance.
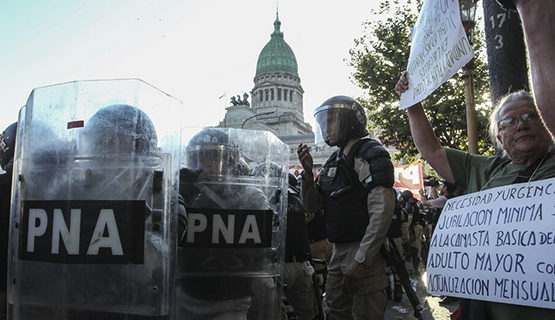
(497, 245)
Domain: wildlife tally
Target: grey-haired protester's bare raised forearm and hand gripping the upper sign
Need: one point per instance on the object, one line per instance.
(423, 135)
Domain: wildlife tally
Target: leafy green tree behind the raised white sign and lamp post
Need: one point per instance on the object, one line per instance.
(379, 57)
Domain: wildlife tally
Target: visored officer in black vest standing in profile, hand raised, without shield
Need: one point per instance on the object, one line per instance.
(355, 189)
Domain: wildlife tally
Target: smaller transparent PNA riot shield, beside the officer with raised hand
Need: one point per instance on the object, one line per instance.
(230, 257)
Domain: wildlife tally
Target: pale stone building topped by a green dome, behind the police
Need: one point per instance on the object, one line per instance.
(276, 100)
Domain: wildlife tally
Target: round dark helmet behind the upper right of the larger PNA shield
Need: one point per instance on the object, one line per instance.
(120, 128)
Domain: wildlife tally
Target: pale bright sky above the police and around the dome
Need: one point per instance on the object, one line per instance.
(194, 50)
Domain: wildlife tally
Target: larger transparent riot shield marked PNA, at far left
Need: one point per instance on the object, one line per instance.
(94, 211)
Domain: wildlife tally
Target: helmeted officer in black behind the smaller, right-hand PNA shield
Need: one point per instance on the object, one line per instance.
(218, 279)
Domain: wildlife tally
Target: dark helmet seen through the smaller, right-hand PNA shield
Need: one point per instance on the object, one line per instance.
(213, 151)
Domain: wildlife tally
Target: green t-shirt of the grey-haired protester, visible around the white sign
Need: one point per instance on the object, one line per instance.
(475, 173)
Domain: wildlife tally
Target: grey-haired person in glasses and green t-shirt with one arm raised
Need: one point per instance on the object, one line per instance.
(515, 127)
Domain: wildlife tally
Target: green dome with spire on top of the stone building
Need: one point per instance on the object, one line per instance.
(277, 55)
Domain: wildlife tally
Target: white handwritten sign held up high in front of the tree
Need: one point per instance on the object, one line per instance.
(439, 48)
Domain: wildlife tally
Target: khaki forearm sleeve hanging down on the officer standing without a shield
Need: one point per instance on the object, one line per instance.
(381, 205)
